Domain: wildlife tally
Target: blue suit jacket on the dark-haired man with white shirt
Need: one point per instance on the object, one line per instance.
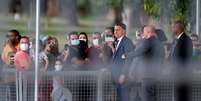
(120, 64)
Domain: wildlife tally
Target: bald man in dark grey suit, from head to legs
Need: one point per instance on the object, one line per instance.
(148, 57)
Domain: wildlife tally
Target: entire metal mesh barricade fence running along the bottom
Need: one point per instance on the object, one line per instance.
(80, 86)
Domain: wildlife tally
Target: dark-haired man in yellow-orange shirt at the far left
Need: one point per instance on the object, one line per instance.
(11, 46)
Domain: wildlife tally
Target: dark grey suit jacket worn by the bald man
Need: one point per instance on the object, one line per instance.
(149, 55)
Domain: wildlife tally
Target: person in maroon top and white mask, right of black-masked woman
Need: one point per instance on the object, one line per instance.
(95, 53)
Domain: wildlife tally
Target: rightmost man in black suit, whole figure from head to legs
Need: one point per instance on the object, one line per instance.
(180, 56)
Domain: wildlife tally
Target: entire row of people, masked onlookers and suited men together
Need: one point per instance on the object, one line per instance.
(110, 50)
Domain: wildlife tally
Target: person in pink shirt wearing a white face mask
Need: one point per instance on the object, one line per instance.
(22, 57)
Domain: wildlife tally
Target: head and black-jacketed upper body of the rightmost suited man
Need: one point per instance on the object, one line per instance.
(181, 52)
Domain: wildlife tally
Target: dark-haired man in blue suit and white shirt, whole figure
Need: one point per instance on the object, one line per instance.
(120, 64)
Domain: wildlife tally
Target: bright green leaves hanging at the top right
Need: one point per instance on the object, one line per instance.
(178, 9)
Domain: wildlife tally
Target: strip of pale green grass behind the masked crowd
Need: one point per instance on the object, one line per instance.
(54, 27)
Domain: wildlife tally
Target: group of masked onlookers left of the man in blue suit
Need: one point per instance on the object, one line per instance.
(77, 53)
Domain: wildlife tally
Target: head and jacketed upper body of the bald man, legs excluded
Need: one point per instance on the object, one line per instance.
(150, 47)
